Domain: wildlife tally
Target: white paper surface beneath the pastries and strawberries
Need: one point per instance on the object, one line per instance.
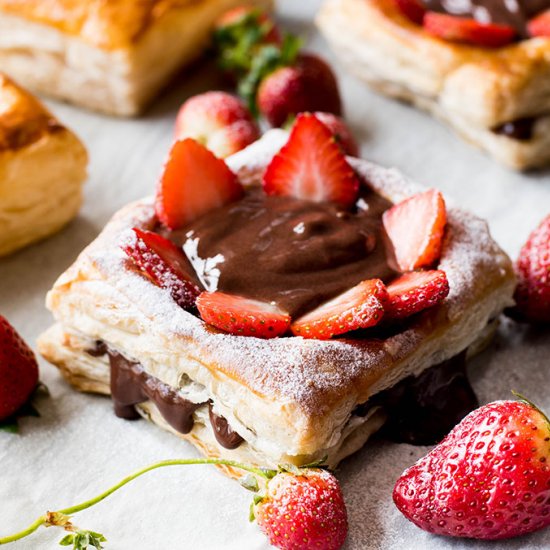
(78, 447)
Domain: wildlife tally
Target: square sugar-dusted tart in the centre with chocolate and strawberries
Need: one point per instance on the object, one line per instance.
(303, 326)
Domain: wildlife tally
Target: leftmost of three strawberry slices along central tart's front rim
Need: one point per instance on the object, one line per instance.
(242, 316)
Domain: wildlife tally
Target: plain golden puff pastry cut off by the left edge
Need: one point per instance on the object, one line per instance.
(42, 169)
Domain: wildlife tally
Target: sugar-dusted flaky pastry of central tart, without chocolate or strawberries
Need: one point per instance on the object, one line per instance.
(286, 396)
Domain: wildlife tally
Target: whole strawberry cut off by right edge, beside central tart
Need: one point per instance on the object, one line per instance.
(533, 270)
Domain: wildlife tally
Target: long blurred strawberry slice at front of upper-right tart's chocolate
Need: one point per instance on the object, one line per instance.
(469, 31)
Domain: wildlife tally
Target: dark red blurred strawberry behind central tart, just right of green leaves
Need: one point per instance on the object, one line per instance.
(308, 85)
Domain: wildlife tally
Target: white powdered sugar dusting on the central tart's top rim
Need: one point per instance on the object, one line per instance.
(312, 373)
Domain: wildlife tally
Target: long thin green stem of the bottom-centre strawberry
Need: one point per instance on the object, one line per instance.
(43, 520)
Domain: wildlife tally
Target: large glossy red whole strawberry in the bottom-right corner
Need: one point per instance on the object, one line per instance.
(488, 479)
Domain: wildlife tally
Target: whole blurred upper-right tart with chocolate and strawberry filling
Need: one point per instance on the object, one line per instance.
(482, 66)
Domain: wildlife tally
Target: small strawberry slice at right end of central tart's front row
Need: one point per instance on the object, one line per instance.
(415, 291)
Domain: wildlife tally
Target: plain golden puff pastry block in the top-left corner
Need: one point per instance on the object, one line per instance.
(109, 56)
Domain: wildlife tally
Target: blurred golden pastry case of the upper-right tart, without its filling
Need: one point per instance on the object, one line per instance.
(472, 89)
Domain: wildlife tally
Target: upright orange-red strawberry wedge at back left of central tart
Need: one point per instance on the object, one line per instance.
(193, 182)
